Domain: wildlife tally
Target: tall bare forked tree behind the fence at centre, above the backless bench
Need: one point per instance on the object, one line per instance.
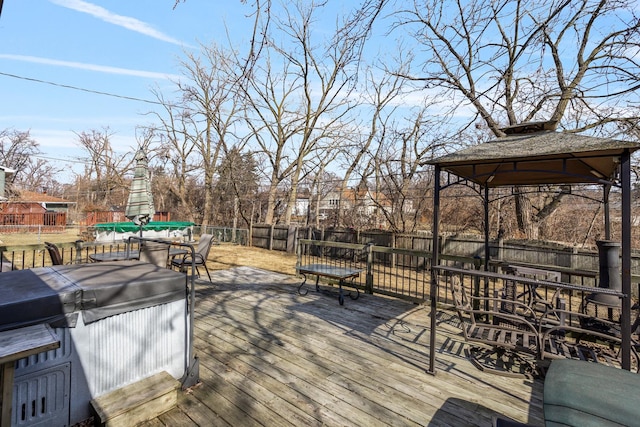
(299, 90)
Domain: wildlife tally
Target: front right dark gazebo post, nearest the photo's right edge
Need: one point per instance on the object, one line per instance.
(625, 321)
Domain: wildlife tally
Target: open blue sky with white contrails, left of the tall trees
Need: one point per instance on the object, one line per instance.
(124, 48)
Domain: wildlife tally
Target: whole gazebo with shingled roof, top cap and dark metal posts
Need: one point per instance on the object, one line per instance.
(532, 155)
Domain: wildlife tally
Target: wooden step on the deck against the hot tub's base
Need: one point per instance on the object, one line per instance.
(137, 402)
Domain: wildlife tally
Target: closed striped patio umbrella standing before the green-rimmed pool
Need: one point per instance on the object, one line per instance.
(140, 208)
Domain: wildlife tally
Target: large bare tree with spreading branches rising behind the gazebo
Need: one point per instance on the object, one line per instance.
(565, 62)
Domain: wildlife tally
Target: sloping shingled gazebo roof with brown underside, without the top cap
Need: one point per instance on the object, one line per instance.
(543, 157)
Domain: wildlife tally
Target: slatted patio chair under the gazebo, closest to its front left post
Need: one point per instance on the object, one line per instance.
(512, 338)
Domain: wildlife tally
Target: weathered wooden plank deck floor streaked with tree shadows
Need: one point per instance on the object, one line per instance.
(269, 356)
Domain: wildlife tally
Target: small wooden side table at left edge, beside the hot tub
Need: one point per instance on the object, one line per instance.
(14, 345)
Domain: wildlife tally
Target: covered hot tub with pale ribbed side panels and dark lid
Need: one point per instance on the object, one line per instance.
(117, 322)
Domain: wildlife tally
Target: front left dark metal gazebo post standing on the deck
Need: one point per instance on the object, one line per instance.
(434, 262)
